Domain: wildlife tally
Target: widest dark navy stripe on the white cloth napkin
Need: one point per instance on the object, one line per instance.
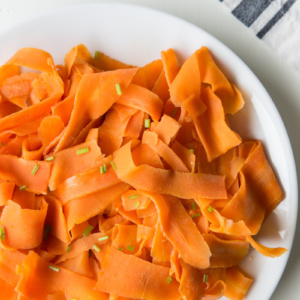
(248, 10)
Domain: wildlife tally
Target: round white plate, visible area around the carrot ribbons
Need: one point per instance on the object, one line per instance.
(136, 36)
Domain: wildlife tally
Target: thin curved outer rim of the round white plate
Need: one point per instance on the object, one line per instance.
(268, 102)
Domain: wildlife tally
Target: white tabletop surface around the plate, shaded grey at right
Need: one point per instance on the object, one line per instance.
(282, 83)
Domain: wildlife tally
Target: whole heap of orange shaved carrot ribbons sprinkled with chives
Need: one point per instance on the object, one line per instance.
(121, 182)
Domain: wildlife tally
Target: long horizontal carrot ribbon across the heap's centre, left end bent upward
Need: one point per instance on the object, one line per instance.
(163, 181)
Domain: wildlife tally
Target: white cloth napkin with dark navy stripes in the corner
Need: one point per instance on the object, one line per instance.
(277, 22)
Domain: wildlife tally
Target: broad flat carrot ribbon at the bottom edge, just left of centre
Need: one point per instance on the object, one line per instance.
(147, 280)
